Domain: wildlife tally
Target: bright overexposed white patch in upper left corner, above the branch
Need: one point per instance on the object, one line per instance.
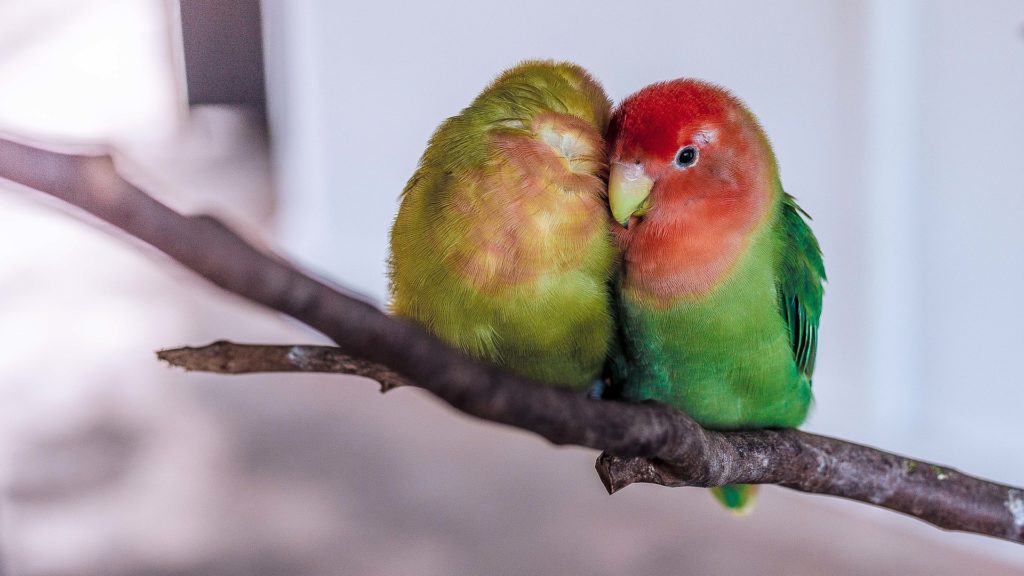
(81, 71)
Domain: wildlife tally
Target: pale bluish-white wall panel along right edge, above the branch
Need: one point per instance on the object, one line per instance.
(972, 207)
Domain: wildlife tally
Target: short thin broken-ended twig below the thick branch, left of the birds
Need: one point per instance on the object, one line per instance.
(229, 358)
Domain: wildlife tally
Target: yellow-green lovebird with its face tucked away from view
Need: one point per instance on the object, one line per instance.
(503, 244)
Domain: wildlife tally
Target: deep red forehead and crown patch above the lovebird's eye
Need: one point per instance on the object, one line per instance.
(650, 121)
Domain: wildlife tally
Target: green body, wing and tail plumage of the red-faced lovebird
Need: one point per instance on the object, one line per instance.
(743, 355)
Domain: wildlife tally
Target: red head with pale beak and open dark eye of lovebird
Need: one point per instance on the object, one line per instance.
(685, 150)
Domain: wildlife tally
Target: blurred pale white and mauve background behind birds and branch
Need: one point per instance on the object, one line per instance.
(899, 126)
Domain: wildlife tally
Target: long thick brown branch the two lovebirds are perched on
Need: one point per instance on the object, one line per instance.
(643, 442)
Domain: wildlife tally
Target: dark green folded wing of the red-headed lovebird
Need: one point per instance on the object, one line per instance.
(801, 276)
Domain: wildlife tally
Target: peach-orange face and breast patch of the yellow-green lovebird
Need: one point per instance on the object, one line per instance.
(535, 209)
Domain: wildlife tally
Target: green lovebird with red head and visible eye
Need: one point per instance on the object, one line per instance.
(719, 293)
